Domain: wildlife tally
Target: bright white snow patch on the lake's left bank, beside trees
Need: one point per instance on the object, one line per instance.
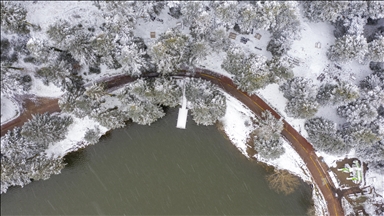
(75, 136)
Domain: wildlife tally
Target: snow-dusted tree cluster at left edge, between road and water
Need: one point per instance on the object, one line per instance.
(23, 155)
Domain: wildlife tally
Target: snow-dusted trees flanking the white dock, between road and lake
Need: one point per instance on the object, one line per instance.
(142, 102)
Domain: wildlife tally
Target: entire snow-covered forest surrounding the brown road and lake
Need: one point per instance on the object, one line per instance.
(61, 51)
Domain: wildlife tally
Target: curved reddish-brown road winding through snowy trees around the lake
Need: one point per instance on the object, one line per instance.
(257, 105)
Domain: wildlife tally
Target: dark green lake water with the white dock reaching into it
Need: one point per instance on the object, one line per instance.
(157, 170)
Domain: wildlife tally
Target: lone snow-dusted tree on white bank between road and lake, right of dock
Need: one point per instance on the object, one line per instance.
(267, 139)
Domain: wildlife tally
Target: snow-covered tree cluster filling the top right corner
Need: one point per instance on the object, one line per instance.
(349, 18)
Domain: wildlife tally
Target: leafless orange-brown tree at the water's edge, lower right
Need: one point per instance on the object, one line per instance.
(283, 181)
